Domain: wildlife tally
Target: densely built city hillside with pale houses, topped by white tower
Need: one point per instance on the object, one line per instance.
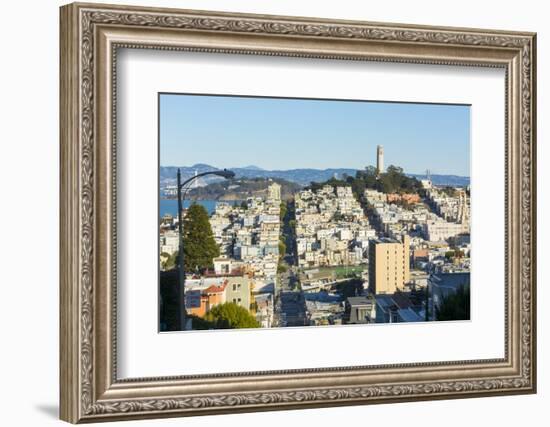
(379, 246)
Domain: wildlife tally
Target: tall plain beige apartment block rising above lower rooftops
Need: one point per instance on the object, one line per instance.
(388, 265)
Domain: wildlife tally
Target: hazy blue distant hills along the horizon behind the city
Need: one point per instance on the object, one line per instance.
(299, 176)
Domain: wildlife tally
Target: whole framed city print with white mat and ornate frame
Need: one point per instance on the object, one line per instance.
(265, 212)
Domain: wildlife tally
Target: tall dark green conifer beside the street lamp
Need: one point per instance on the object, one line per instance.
(199, 246)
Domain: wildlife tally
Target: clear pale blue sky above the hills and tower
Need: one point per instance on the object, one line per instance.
(281, 133)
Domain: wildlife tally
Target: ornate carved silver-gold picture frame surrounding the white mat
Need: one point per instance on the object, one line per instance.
(91, 36)
